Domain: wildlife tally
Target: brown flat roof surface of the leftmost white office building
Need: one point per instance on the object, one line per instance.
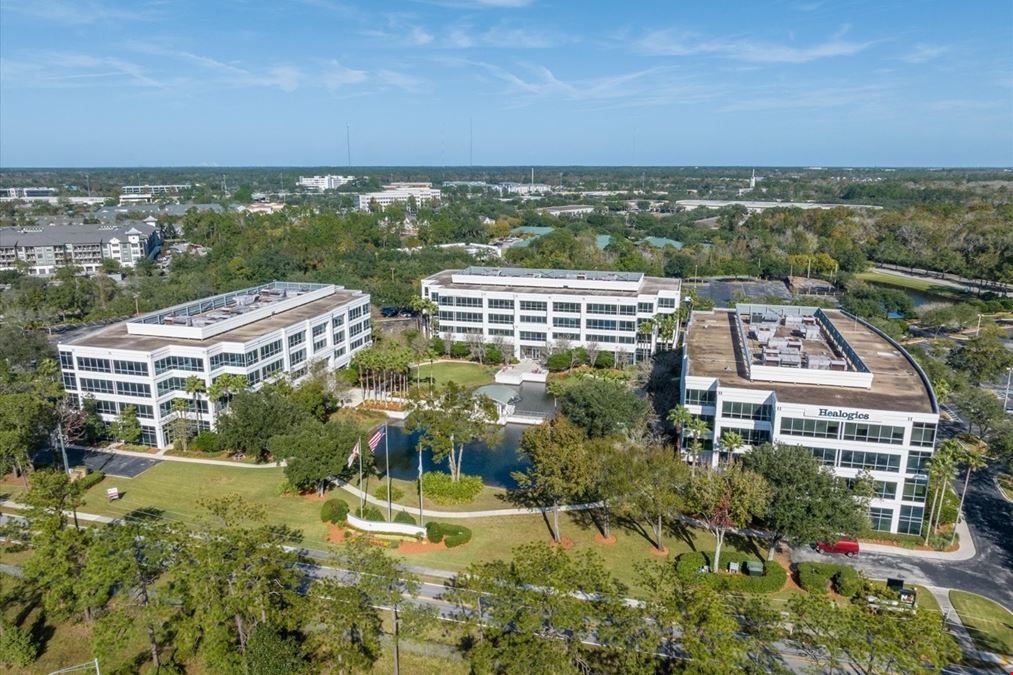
(115, 337)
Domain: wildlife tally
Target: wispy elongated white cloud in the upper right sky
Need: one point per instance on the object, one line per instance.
(674, 43)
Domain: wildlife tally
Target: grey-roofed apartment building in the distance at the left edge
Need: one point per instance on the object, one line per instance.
(44, 249)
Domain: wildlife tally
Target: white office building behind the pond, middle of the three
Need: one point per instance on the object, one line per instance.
(536, 311)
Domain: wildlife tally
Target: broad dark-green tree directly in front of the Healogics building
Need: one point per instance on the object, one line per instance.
(808, 503)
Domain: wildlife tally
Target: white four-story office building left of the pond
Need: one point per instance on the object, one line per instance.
(262, 333)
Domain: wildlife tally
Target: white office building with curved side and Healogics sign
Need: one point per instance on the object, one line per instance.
(822, 380)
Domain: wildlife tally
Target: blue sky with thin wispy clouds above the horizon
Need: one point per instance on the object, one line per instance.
(251, 83)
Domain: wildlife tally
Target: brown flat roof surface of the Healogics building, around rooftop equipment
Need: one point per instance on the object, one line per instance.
(713, 352)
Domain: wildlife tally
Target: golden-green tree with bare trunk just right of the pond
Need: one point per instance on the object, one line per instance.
(561, 466)
